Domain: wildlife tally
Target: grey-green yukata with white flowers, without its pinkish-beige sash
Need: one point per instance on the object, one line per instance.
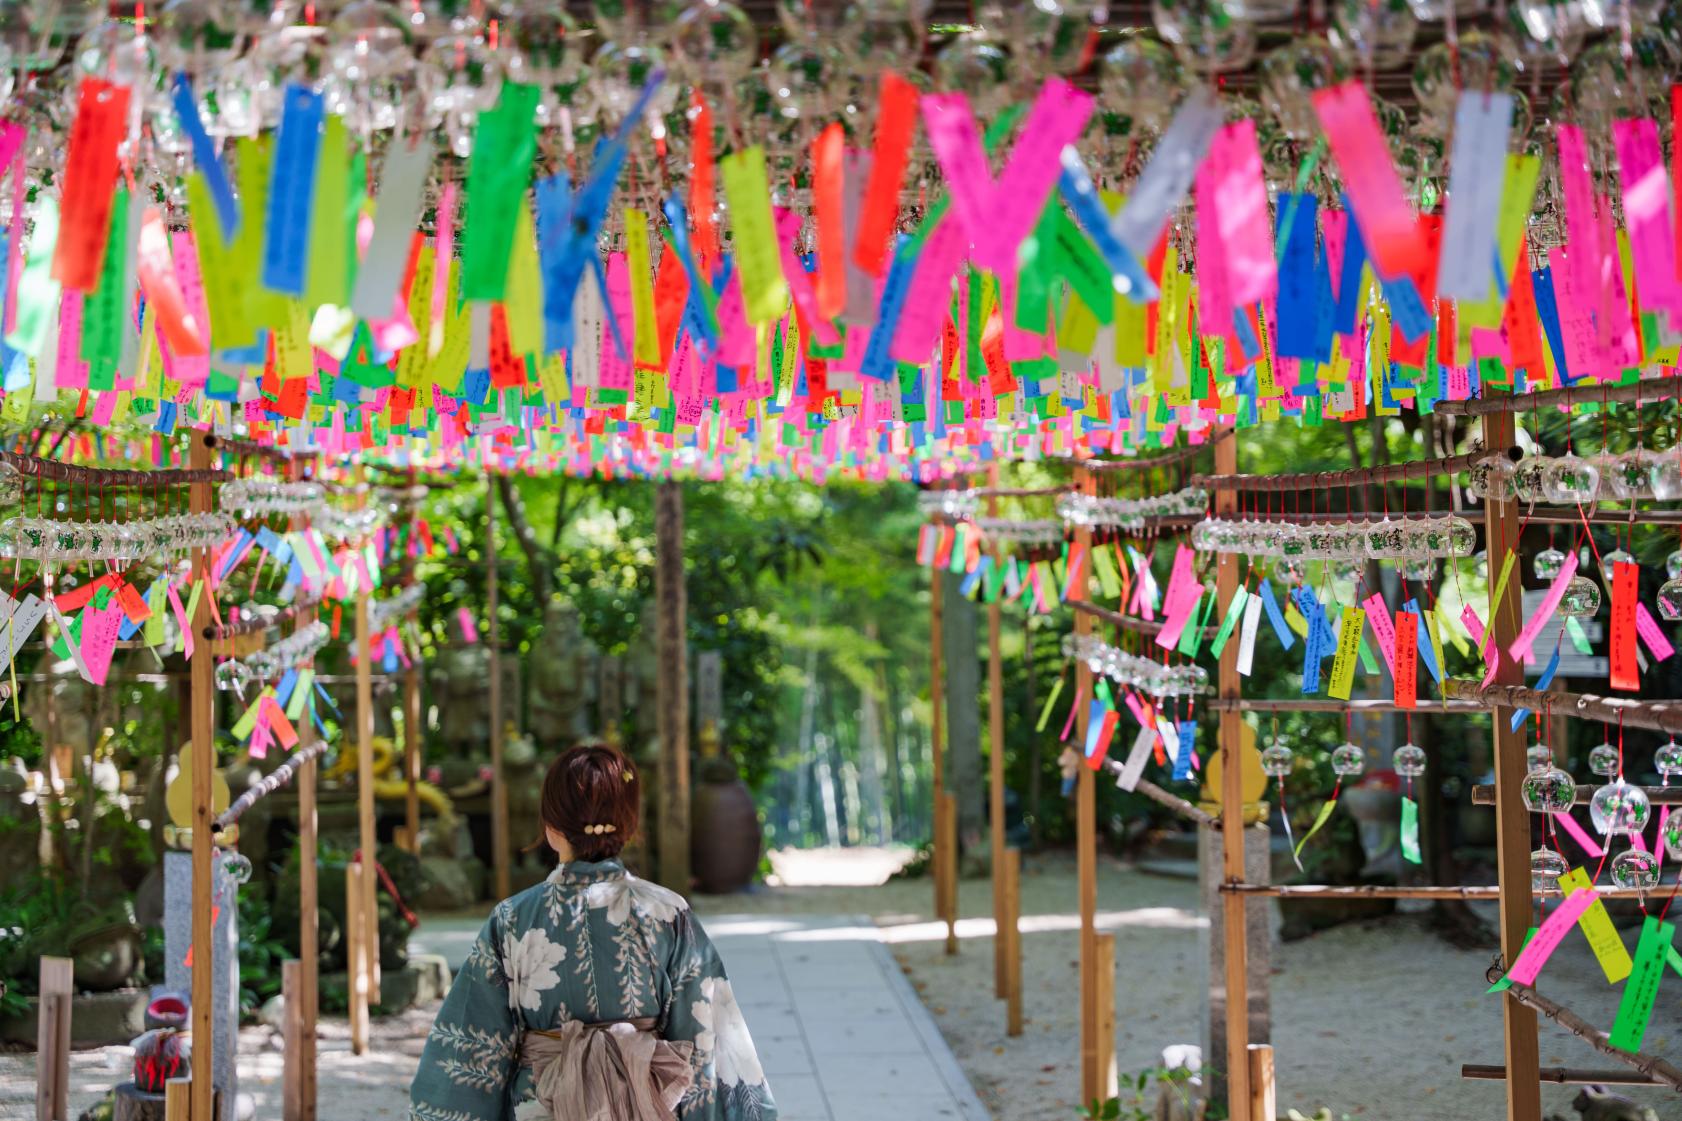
(598, 945)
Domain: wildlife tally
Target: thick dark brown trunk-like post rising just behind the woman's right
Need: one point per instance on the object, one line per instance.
(674, 691)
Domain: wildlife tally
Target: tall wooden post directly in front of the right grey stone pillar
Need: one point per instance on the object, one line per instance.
(1234, 908)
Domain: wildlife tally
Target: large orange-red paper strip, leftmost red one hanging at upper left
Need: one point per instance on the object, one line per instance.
(90, 184)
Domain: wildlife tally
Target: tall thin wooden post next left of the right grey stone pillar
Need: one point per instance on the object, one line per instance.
(1087, 849)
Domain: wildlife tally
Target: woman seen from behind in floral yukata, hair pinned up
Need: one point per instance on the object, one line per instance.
(595, 996)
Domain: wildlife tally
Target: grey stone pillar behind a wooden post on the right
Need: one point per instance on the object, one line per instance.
(1259, 937)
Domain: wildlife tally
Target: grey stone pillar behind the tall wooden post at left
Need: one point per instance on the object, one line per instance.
(225, 935)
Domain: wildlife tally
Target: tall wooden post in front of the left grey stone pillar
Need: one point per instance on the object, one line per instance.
(203, 698)
